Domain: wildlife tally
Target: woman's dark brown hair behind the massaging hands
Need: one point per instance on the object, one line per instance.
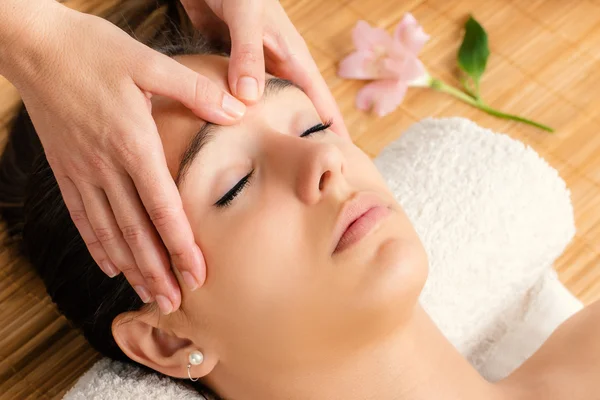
(38, 223)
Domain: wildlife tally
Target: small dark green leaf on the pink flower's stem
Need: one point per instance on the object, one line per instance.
(474, 51)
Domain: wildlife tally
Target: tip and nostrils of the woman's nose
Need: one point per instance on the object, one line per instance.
(321, 172)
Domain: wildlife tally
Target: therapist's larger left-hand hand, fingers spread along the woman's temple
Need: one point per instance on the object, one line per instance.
(86, 85)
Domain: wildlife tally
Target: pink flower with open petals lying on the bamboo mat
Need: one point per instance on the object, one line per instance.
(391, 60)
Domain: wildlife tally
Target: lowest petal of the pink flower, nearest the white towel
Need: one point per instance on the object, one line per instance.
(381, 96)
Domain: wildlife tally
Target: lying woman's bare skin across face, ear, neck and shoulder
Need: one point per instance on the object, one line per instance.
(281, 315)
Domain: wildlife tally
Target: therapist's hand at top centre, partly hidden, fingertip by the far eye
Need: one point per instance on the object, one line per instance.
(262, 35)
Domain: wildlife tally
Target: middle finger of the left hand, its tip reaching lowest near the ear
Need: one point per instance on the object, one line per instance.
(145, 245)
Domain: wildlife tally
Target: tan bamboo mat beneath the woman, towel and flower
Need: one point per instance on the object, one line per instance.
(544, 65)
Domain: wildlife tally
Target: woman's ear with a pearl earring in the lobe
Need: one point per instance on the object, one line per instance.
(138, 335)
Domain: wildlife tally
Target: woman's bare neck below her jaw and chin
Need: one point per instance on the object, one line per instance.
(417, 363)
